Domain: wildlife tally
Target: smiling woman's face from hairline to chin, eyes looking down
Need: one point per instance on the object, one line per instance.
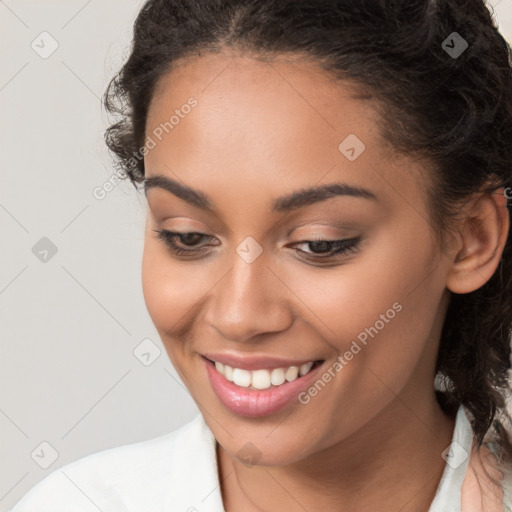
(349, 278)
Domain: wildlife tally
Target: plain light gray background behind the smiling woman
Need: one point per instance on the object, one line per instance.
(70, 324)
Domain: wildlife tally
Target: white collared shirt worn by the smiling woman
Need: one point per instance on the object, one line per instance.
(177, 472)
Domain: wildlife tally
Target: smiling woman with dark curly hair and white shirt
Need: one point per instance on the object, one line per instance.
(327, 257)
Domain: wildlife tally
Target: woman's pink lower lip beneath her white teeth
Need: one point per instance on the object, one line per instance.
(253, 403)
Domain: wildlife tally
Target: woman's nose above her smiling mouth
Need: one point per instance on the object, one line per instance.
(251, 299)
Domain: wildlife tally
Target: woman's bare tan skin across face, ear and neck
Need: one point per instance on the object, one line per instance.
(261, 130)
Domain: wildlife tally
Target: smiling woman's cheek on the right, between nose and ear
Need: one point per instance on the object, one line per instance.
(378, 311)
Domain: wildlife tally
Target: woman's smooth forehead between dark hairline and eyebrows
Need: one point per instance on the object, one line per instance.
(268, 125)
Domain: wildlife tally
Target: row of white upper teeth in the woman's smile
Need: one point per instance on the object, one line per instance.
(262, 379)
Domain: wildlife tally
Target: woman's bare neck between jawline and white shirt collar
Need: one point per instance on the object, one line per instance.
(392, 463)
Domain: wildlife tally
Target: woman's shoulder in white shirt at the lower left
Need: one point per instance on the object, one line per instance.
(149, 475)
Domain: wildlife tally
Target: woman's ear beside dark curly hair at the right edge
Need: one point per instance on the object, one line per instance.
(482, 238)
